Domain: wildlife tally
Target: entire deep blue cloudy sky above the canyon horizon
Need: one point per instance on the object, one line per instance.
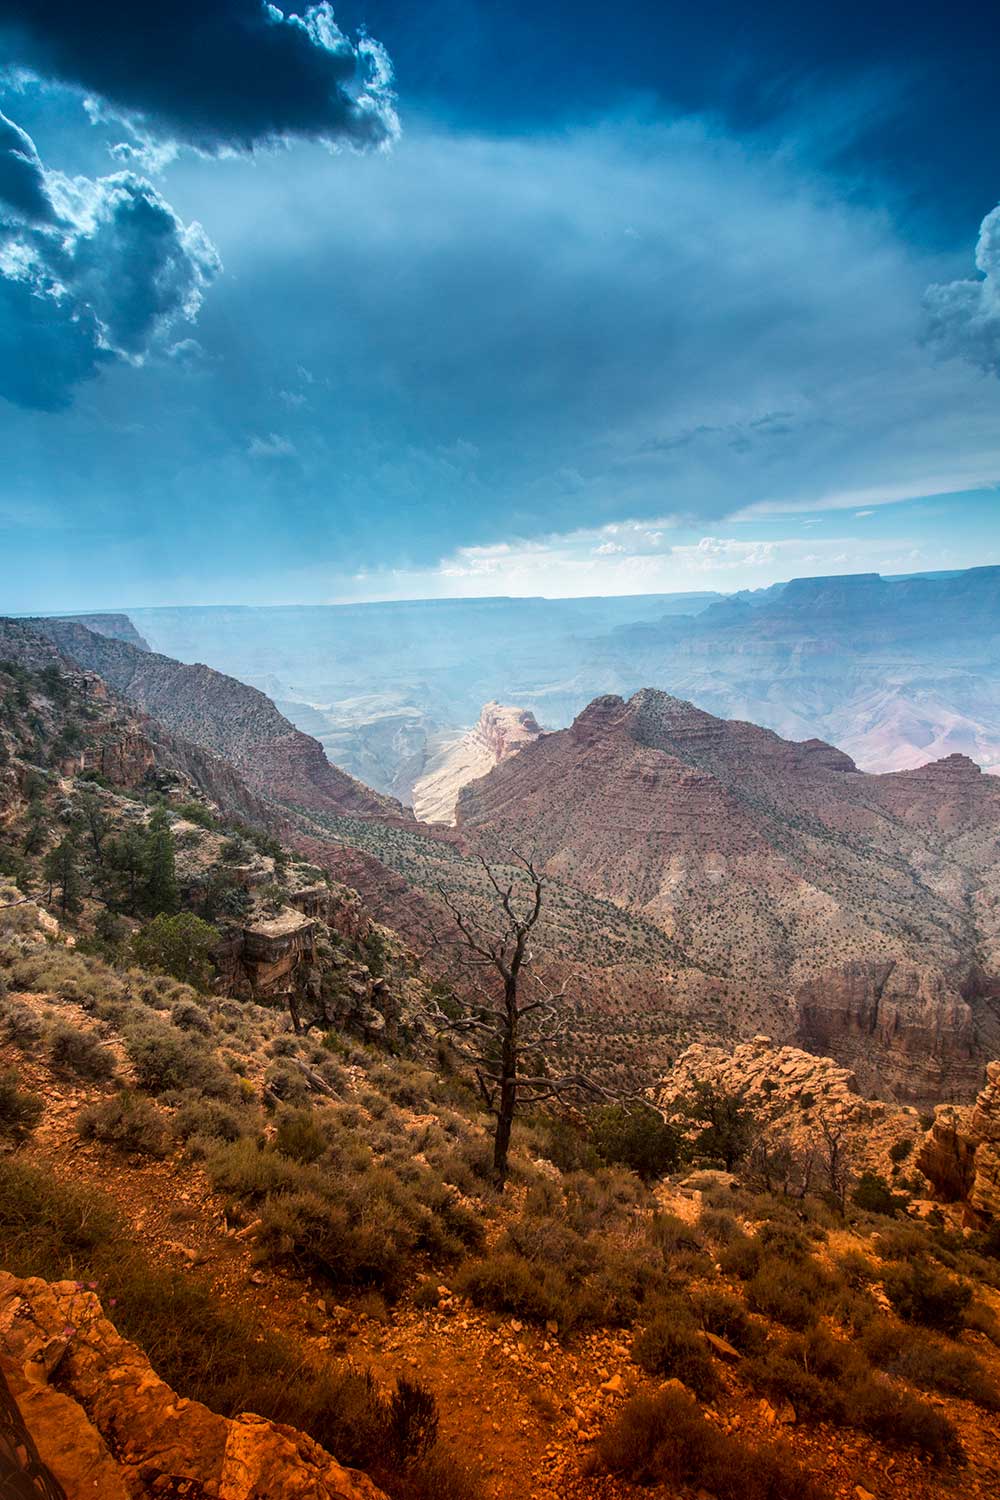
(394, 301)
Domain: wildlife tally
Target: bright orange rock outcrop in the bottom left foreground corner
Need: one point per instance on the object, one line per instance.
(106, 1426)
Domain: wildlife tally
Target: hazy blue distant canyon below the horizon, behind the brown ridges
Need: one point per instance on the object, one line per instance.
(896, 671)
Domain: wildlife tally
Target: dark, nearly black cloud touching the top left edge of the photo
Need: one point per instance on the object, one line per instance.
(215, 74)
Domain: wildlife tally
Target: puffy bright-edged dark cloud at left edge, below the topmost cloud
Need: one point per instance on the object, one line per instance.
(91, 271)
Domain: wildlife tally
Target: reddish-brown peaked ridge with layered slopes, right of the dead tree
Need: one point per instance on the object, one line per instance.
(872, 901)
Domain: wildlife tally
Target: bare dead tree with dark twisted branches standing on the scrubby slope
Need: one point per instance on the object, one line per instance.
(506, 1015)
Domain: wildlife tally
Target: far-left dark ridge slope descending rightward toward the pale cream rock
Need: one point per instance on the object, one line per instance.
(221, 715)
